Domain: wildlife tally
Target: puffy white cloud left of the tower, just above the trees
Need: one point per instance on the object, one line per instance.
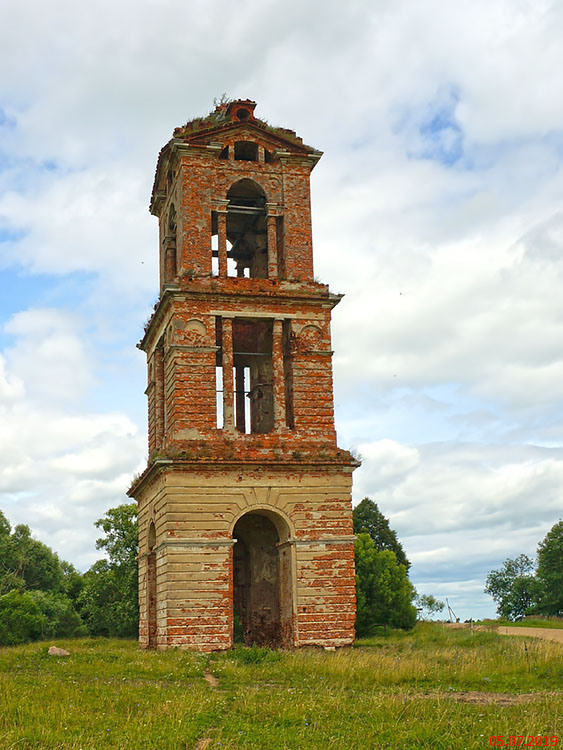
(62, 465)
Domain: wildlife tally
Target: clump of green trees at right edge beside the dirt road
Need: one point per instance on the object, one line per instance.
(524, 586)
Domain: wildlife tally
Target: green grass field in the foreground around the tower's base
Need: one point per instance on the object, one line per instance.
(431, 688)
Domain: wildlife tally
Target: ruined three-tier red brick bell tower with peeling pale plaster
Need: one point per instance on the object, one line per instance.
(245, 503)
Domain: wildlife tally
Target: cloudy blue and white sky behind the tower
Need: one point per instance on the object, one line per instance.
(437, 211)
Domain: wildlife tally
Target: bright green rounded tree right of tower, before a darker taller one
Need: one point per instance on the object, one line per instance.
(384, 593)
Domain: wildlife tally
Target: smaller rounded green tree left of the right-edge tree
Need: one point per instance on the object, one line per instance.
(514, 588)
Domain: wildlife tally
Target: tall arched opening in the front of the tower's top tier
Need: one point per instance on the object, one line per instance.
(247, 230)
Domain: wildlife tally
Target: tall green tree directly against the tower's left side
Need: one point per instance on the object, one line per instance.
(108, 601)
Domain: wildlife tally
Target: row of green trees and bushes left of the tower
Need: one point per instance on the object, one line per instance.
(42, 596)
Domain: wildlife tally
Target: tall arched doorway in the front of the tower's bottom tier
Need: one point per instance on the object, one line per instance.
(262, 579)
